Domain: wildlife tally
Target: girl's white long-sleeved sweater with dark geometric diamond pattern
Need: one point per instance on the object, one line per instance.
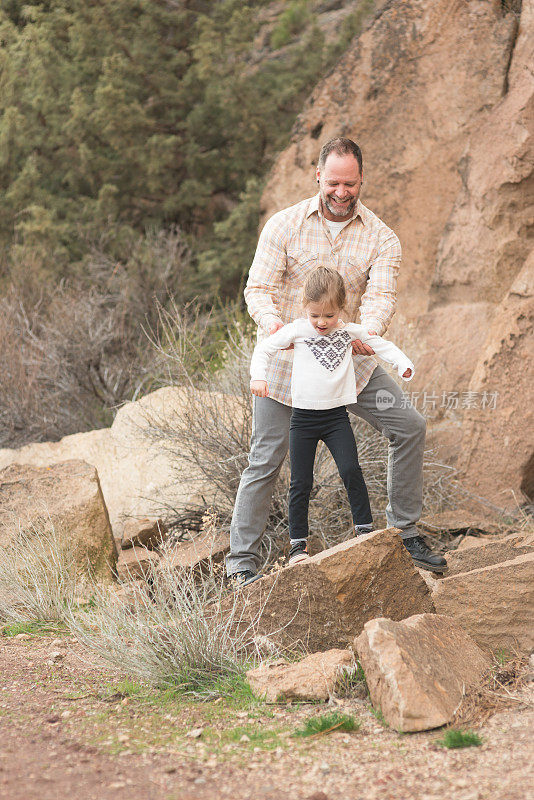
(323, 372)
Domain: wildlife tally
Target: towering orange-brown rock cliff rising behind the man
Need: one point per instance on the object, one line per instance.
(441, 99)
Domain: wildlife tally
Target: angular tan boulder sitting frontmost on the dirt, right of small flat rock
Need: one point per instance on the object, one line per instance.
(416, 670)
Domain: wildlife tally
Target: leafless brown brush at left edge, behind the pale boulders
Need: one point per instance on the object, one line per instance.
(71, 355)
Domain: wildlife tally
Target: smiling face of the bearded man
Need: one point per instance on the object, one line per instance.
(339, 186)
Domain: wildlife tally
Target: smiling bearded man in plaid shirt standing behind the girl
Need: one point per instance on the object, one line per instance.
(332, 229)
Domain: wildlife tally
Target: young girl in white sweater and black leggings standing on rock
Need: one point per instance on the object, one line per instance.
(322, 384)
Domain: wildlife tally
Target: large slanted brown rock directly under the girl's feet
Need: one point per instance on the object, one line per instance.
(322, 603)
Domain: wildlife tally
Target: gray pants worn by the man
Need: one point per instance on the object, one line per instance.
(381, 404)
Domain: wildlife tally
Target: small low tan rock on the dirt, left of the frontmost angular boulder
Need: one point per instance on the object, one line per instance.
(312, 679)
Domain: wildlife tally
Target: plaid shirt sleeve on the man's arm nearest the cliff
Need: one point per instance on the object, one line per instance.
(380, 297)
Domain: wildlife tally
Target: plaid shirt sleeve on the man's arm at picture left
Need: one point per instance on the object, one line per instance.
(261, 291)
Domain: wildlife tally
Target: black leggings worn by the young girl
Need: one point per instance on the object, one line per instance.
(332, 426)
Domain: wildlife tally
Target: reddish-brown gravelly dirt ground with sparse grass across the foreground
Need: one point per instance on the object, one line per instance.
(67, 731)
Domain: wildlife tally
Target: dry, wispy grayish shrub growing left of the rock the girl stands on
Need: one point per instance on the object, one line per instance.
(173, 634)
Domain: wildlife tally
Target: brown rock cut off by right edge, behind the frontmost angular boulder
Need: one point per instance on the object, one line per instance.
(495, 604)
